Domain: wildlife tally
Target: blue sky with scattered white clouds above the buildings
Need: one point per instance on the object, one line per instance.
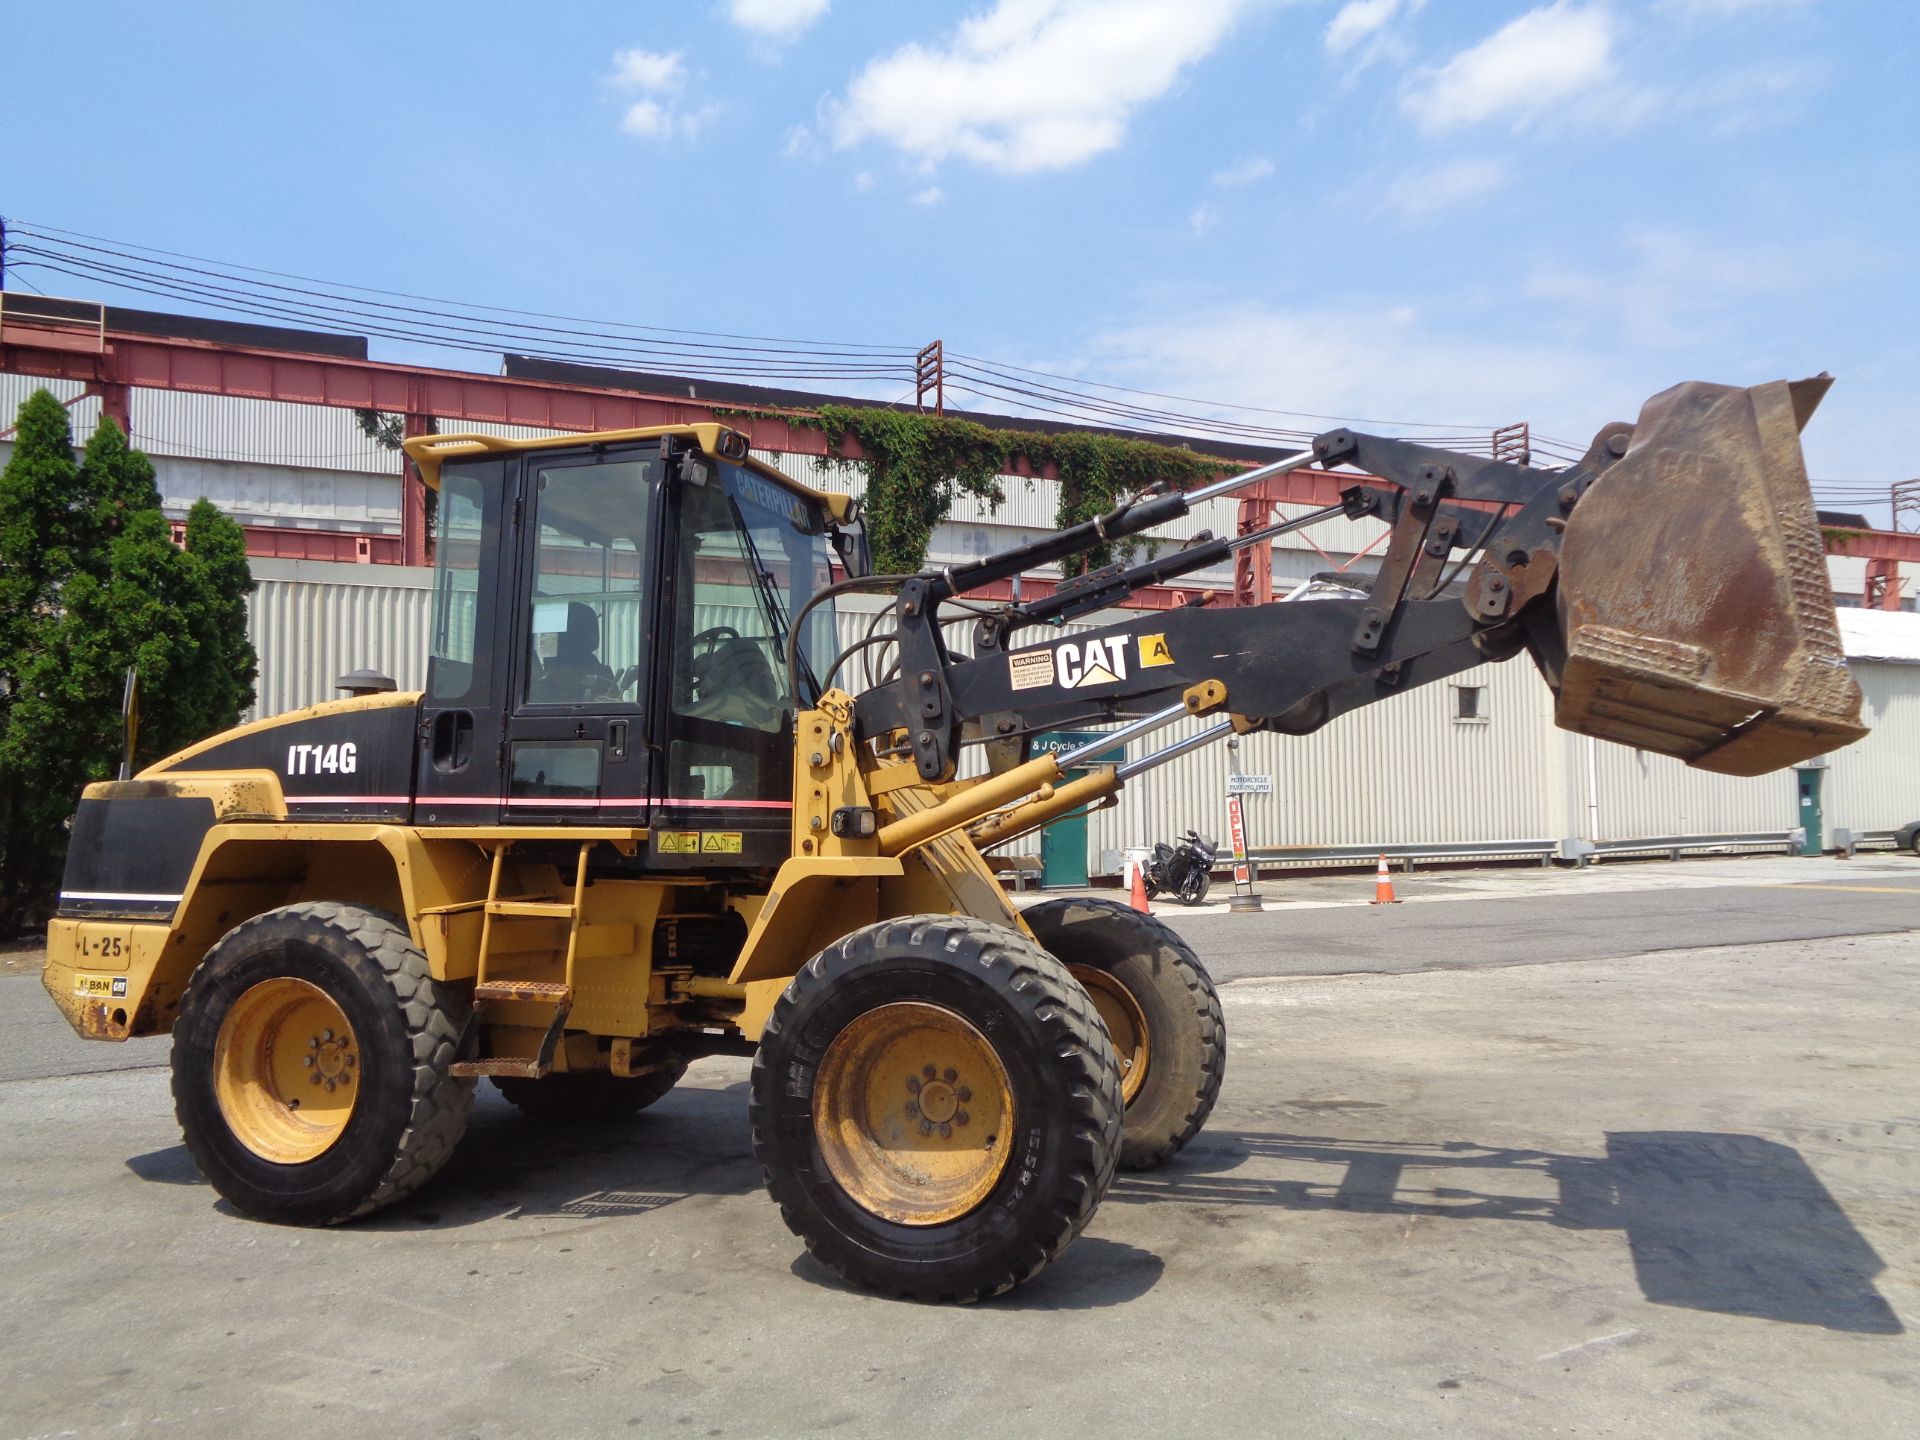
(1445, 212)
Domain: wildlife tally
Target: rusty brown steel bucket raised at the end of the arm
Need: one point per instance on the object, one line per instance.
(1694, 596)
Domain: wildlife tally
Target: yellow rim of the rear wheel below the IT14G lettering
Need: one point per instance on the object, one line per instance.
(287, 1070)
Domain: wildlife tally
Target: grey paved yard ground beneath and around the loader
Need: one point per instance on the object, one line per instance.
(1558, 1174)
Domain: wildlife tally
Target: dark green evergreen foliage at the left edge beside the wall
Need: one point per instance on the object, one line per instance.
(91, 585)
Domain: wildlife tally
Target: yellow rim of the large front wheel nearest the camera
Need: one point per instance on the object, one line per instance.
(915, 1115)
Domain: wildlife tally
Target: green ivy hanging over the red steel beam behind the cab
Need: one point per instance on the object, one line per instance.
(917, 466)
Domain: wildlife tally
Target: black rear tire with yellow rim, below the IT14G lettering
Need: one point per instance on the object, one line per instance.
(310, 1065)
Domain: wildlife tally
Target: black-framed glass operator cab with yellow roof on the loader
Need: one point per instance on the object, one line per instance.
(610, 638)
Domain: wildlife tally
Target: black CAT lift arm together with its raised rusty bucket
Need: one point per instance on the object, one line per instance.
(1702, 625)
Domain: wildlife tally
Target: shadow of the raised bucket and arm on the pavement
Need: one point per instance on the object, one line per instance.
(1727, 1224)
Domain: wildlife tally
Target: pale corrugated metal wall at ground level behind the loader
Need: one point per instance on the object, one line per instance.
(1403, 773)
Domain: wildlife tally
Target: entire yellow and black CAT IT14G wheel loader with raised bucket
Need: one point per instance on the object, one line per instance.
(636, 817)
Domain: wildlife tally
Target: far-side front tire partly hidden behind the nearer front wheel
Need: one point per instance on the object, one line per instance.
(1163, 1009)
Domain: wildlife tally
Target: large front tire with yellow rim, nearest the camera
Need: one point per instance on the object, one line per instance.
(936, 1109)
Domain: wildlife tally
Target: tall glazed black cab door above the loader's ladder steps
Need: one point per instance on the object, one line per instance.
(581, 638)
